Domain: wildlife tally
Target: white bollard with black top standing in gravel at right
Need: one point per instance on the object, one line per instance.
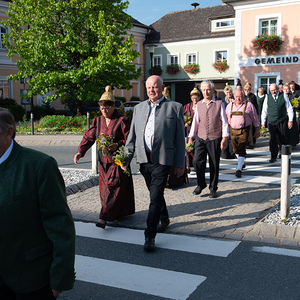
(286, 151)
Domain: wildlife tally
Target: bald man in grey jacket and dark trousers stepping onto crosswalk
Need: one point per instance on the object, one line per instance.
(157, 137)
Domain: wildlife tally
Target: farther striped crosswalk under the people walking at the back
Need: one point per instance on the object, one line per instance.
(258, 169)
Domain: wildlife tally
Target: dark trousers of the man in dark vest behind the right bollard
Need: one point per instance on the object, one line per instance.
(278, 136)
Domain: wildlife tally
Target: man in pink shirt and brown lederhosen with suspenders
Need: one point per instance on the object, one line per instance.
(240, 114)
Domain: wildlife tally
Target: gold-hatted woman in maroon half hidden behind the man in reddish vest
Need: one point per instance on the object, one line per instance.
(188, 112)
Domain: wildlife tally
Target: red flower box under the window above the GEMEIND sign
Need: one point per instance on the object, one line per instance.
(267, 43)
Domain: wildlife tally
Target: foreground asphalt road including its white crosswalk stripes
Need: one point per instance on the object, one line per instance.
(123, 270)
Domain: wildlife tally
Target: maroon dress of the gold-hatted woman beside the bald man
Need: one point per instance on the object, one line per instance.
(116, 188)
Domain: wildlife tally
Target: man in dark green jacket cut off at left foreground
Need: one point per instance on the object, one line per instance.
(37, 235)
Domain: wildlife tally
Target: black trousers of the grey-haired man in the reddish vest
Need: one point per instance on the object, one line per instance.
(213, 149)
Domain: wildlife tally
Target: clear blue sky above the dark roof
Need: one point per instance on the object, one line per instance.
(149, 11)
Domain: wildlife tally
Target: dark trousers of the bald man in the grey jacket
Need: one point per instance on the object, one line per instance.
(156, 178)
